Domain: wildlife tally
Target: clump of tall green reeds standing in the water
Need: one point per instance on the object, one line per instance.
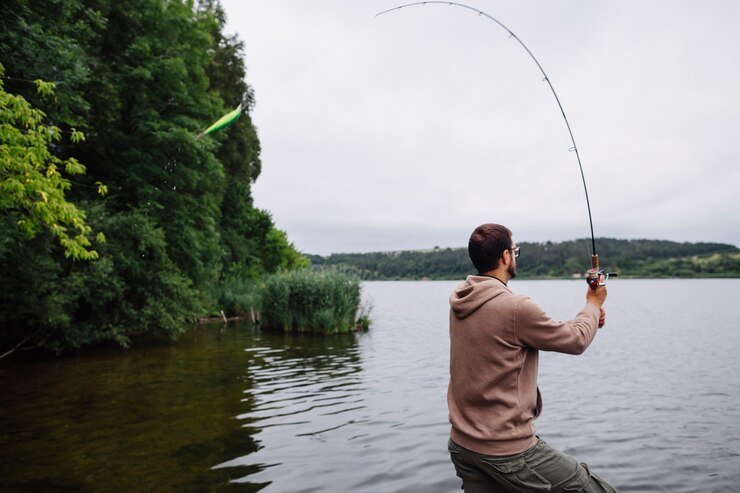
(303, 300)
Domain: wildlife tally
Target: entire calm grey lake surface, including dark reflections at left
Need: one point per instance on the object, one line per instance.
(653, 405)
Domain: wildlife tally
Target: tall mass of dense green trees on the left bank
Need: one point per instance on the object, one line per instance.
(131, 83)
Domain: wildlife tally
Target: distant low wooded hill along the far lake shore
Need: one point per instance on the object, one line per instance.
(630, 258)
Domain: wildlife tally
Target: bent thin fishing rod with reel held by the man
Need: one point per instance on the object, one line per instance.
(593, 275)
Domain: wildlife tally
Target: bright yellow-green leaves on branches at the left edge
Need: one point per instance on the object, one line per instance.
(32, 186)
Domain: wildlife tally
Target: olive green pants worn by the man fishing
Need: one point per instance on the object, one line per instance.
(541, 468)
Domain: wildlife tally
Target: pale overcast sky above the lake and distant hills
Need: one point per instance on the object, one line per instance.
(407, 130)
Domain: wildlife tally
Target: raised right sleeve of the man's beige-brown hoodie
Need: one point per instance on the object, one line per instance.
(534, 328)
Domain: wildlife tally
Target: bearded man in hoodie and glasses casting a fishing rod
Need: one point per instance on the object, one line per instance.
(493, 397)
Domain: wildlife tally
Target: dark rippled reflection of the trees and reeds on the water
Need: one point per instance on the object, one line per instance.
(159, 418)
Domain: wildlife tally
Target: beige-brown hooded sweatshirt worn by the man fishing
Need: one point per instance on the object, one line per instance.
(495, 336)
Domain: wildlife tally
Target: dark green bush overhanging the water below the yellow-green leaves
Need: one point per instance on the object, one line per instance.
(75, 304)
